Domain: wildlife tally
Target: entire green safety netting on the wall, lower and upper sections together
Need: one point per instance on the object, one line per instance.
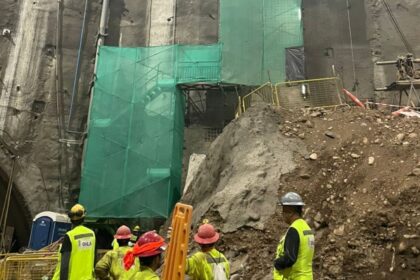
(133, 156)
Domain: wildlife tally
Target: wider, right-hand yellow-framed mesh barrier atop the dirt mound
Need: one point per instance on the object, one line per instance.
(323, 92)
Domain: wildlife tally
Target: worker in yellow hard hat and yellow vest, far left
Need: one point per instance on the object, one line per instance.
(77, 252)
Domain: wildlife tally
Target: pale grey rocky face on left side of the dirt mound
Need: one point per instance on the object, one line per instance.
(238, 181)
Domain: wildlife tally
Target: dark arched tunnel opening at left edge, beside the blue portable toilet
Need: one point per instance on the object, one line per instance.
(19, 217)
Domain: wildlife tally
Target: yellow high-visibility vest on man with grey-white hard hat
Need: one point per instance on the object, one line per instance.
(302, 269)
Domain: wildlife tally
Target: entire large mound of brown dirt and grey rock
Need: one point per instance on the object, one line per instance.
(358, 171)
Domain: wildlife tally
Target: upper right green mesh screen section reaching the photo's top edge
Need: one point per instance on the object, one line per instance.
(254, 35)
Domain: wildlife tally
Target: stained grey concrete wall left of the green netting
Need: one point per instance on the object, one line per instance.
(28, 107)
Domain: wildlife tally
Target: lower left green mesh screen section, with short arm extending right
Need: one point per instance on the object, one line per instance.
(133, 157)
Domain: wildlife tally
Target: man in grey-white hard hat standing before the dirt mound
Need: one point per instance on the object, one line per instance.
(296, 249)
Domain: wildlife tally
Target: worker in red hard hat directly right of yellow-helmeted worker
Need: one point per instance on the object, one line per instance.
(111, 266)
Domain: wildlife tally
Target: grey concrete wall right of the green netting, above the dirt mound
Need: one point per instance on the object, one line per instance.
(327, 40)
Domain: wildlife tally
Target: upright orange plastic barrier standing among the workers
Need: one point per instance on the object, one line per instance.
(176, 254)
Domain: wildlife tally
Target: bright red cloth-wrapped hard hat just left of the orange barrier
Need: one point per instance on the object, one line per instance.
(151, 244)
